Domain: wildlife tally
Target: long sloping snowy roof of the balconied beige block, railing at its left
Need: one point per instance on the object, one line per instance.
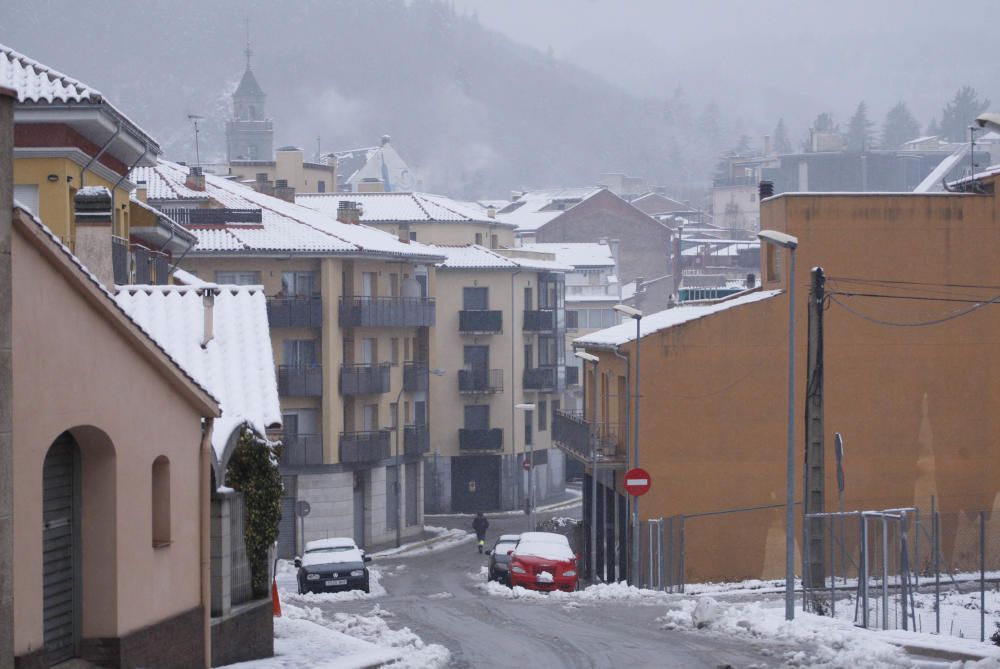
(285, 227)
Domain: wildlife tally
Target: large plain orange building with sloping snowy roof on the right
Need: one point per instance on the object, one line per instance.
(910, 378)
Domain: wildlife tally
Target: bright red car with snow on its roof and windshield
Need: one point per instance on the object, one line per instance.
(544, 561)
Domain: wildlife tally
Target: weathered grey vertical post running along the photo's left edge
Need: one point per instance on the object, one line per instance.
(7, 100)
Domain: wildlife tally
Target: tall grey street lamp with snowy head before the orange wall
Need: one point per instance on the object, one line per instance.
(782, 240)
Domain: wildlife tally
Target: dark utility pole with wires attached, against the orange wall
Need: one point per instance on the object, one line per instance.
(813, 557)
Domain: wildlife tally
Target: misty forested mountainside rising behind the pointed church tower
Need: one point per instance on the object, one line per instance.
(474, 112)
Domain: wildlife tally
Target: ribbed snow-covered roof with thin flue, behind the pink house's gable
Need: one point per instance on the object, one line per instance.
(236, 366)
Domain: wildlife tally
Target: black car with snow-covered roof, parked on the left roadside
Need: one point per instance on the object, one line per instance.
(332, 565)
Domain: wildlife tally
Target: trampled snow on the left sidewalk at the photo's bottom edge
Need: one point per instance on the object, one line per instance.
(305, 638)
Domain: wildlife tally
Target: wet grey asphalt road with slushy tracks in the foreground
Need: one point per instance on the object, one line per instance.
(438, 595)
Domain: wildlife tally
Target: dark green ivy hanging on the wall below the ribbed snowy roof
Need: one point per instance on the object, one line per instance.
(253, 471)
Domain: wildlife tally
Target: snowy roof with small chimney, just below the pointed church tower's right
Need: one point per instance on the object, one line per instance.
(399, 208)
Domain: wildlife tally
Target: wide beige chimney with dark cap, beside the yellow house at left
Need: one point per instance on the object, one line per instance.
(93, 242)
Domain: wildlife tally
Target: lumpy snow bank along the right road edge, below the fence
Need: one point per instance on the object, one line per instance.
(830, 643)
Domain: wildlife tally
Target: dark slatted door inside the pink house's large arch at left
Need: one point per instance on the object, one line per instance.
(61, 563)
